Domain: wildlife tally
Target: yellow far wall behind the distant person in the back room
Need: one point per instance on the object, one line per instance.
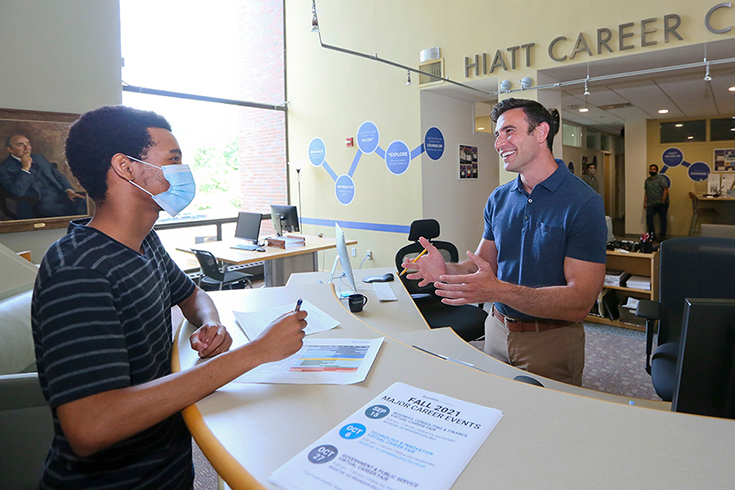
(680, 207)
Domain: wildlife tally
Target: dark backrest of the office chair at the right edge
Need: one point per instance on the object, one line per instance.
(692, 267)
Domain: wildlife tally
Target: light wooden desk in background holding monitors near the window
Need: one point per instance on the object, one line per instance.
(279, 263)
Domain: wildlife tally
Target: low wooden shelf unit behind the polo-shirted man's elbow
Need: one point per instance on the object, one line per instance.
(636, 264)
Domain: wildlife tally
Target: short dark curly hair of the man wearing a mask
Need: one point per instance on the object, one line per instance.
(99, 134)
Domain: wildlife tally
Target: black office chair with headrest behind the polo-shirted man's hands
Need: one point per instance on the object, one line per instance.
(467, 321)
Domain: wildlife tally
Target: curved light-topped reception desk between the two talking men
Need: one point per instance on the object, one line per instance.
(555, 437)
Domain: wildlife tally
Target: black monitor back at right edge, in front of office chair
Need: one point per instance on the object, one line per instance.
(705, 368)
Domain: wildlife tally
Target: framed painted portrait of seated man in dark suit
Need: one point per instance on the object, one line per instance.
(37, 188)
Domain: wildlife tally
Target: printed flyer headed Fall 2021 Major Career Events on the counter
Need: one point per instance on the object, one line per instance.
(405, 438)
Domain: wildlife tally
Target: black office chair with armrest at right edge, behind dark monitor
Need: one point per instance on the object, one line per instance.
(690, 267)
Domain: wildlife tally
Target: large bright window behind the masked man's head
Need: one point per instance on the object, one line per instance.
(237, 154)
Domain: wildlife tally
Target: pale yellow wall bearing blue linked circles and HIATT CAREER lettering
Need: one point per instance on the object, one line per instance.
(330, 94)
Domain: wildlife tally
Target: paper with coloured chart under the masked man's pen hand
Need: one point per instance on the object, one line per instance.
(320, 361)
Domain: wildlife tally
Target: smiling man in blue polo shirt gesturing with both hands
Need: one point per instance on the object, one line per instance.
(541, 260)
